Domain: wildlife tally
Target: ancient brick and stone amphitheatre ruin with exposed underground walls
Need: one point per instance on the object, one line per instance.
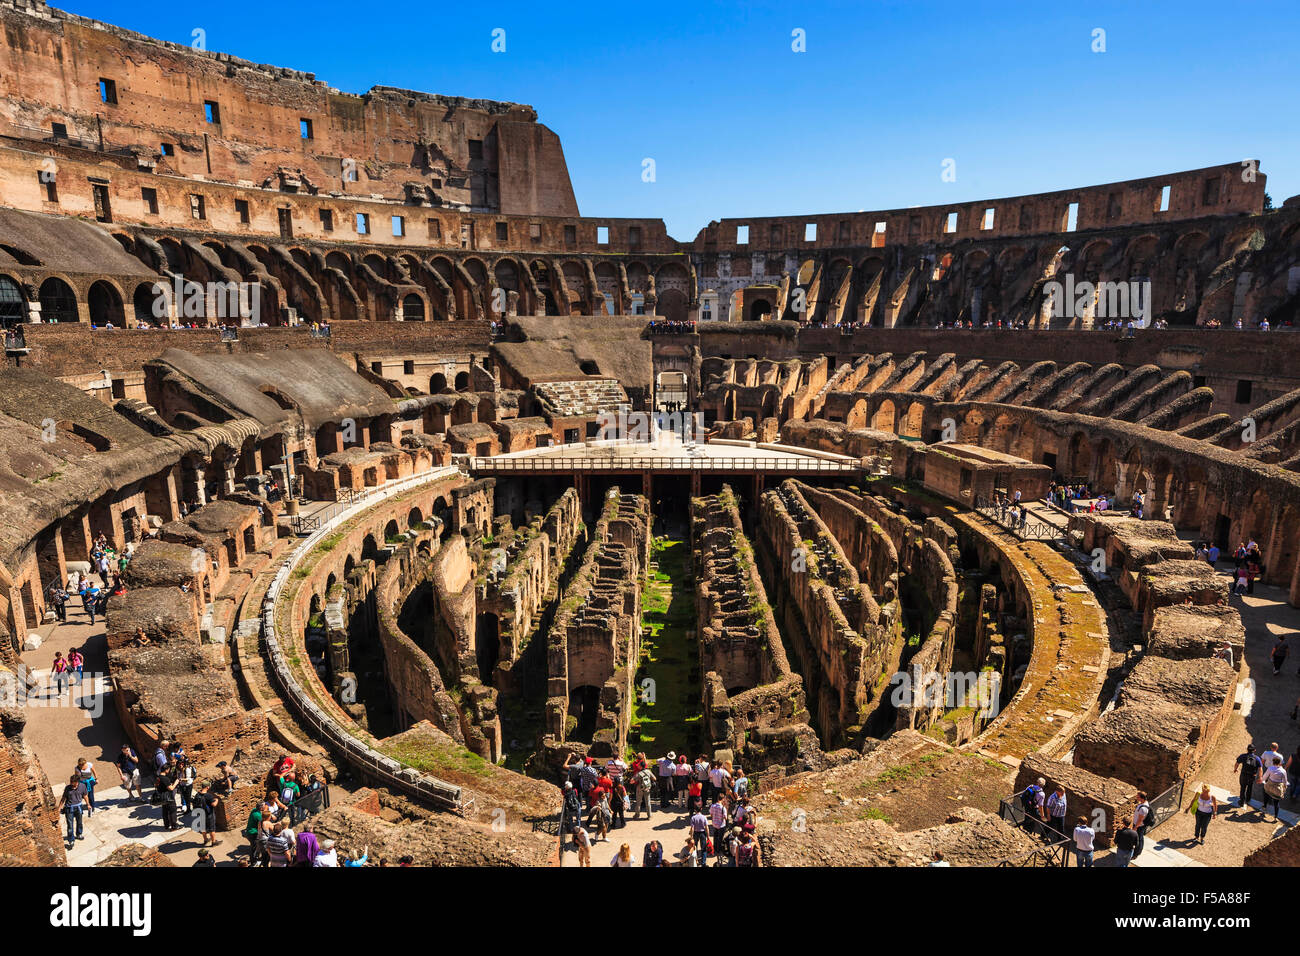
(388, 460)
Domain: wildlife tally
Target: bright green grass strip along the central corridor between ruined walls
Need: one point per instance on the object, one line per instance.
(669, 656)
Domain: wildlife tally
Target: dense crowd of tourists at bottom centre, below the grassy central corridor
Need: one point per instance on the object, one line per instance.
(713, 797)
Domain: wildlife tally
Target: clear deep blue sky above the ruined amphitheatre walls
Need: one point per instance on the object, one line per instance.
(742, 126)
